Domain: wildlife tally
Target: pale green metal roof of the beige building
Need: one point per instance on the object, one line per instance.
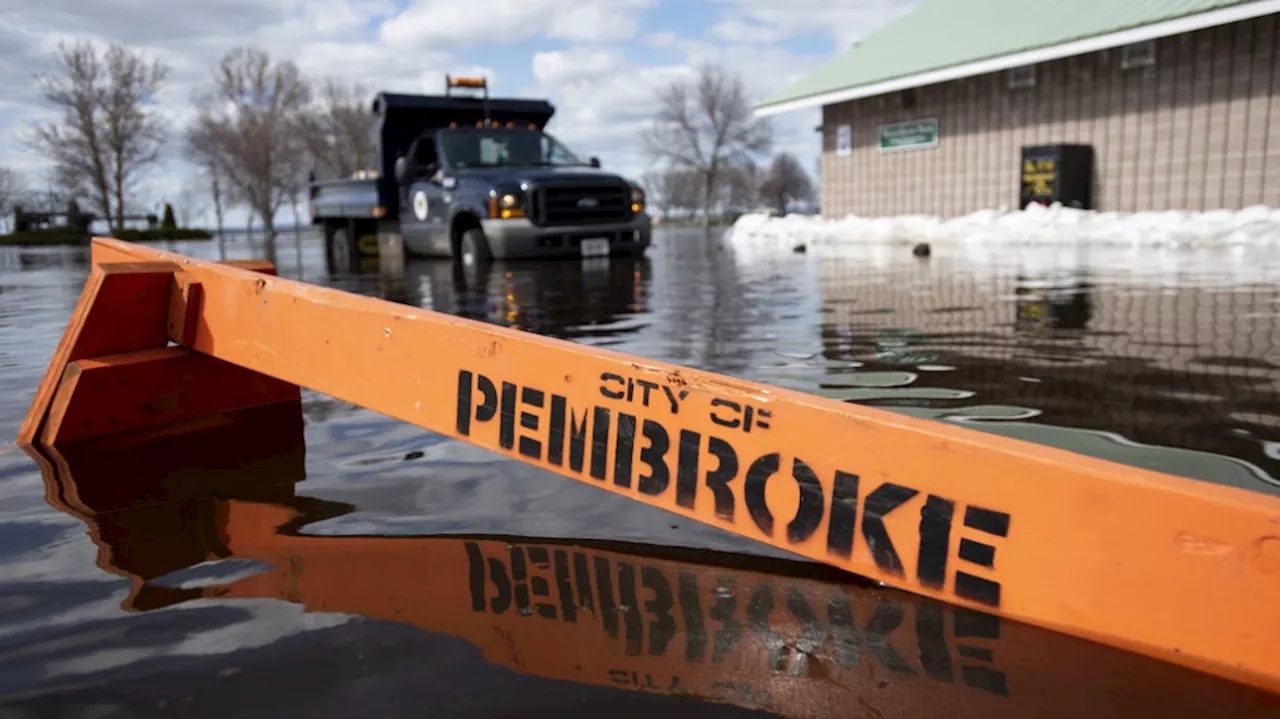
(944, 34)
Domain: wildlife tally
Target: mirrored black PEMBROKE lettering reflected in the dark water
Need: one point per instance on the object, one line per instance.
(661, 612)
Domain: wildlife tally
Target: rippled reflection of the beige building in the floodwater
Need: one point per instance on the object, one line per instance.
(1177, 377)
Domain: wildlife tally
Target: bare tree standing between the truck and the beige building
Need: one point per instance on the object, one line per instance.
(706, 125)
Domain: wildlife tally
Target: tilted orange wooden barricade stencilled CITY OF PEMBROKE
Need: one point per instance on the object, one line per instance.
(1174, 569)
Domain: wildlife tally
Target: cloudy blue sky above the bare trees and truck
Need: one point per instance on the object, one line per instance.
(598, 61)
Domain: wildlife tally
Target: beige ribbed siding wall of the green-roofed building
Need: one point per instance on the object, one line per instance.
(1200, 131)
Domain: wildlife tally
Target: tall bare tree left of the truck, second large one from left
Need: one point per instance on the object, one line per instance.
(250, 123)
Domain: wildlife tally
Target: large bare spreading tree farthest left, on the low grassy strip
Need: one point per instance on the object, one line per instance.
(109, 130)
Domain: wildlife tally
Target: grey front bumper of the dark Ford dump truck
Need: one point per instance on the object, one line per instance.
(518, 240)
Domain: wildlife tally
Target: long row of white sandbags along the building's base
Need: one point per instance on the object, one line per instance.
(1252, 227)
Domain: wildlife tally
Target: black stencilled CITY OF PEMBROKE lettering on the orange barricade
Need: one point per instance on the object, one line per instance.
(659, 462)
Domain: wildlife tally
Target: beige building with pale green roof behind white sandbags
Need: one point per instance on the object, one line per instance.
(1116, 106)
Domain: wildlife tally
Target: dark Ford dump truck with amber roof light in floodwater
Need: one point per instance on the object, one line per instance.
(477, 180)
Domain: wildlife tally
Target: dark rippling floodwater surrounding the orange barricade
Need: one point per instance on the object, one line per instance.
(331, 566)
